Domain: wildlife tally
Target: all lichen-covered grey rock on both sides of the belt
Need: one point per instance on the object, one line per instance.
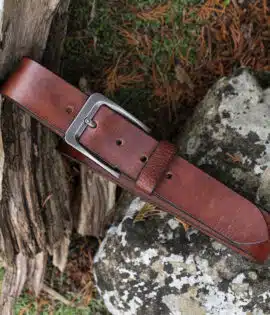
(154, 267)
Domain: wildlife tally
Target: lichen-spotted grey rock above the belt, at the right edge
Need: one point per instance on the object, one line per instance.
(229, 136)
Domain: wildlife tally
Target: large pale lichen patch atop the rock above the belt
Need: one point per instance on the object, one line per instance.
(248, 111)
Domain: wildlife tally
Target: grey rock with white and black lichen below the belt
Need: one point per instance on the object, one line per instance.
(150, 268)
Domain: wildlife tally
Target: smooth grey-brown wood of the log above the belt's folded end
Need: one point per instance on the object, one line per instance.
(26, 25)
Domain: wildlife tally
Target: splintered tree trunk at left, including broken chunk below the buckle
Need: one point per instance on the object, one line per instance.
(36, 212)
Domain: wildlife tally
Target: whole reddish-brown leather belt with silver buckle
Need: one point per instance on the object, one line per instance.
(102, 135)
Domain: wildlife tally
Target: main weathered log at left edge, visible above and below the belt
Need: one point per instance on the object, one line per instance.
(31, 199)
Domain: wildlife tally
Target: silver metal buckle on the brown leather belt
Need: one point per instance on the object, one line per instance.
(85, 118)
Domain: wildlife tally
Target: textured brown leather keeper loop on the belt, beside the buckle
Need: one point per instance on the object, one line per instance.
(156, 166)
